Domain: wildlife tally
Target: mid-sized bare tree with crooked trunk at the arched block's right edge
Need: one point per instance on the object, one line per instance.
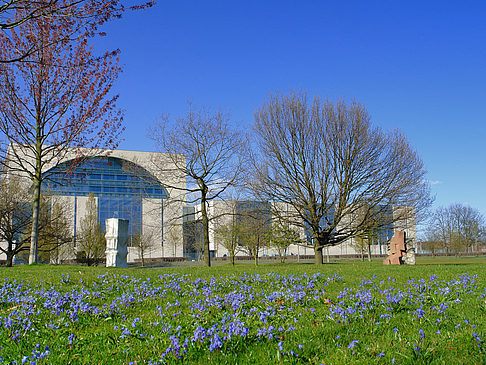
(203, 147)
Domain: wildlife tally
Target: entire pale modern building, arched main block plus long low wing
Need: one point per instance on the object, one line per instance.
(148, 190)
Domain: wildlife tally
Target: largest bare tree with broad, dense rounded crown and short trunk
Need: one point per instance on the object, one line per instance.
(339, 174)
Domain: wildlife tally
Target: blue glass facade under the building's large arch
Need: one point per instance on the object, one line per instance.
(119, 185)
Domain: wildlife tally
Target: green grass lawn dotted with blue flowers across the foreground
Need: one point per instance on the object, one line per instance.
(339, 313)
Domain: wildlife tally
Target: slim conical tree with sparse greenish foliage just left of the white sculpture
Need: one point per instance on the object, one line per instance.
(91, 242)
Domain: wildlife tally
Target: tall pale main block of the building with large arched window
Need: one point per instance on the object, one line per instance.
(126, 184)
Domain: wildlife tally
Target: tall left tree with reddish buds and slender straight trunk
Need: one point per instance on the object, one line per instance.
(54, 103)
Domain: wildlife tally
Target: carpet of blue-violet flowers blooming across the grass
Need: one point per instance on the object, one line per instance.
(175, 316)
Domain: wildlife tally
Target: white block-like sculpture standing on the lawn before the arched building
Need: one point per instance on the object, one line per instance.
(116, 242)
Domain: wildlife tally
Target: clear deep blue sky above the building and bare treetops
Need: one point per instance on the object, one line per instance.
(419, 66)
